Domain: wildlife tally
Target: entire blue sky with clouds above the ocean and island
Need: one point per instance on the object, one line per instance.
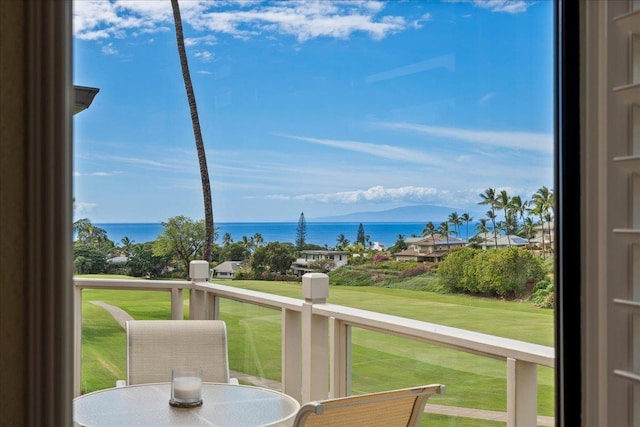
(320, 107)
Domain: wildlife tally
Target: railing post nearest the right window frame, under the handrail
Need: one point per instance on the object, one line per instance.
(522, 394)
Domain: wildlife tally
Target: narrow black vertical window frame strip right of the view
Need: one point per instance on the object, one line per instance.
(568, 177)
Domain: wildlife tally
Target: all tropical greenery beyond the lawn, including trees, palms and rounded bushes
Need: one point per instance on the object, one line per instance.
(509, 273)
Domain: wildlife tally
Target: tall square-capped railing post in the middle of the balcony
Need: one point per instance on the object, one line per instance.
(315, 338)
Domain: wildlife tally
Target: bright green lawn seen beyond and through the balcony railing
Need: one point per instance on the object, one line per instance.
(379, 361)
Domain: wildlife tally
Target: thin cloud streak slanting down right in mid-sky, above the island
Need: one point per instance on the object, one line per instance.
(378, 150)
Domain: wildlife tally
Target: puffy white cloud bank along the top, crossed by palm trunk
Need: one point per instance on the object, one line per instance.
(304, 20)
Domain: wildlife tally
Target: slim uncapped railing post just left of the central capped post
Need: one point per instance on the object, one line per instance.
(291, 354)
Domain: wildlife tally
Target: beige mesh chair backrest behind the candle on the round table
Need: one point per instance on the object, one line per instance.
(155, 347)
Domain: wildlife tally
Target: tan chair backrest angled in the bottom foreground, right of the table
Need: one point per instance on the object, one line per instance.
(402, 407)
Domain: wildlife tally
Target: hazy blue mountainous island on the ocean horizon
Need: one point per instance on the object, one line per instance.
(419, 213)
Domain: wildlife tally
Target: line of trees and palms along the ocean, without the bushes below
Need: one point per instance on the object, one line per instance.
(183, 240)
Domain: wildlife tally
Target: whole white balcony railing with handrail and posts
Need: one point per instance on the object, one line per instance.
(311, 369)
